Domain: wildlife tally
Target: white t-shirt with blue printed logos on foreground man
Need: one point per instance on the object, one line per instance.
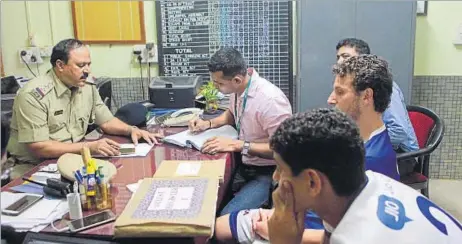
(387, 211)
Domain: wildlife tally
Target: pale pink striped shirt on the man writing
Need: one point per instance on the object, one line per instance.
(267, 107)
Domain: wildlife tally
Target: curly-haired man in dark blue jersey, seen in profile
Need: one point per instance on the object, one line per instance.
(362, 89)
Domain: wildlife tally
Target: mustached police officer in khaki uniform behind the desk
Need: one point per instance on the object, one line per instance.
(51, 113)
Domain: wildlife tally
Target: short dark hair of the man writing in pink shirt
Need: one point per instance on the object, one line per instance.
(229, 61)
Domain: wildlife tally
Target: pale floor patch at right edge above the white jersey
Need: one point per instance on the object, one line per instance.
(448, 195)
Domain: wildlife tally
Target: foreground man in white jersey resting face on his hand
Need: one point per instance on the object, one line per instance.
(320, 167)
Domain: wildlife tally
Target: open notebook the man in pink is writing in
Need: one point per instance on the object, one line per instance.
(191, 140)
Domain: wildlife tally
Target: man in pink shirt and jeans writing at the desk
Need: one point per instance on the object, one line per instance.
(257, 108)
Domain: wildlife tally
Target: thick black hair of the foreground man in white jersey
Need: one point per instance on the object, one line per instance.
(326, 140)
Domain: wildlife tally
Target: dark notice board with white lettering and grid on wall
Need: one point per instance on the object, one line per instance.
(190, 32)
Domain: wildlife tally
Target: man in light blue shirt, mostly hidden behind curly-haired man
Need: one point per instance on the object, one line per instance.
(395, 117)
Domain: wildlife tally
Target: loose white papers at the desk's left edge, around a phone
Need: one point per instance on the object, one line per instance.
(35, 218)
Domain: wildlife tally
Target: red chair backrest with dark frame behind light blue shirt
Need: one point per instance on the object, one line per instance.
(428, 126)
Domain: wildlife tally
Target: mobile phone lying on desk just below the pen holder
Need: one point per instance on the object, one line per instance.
(91, 221)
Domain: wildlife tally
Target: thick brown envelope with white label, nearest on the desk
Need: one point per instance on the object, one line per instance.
(170, 207)
